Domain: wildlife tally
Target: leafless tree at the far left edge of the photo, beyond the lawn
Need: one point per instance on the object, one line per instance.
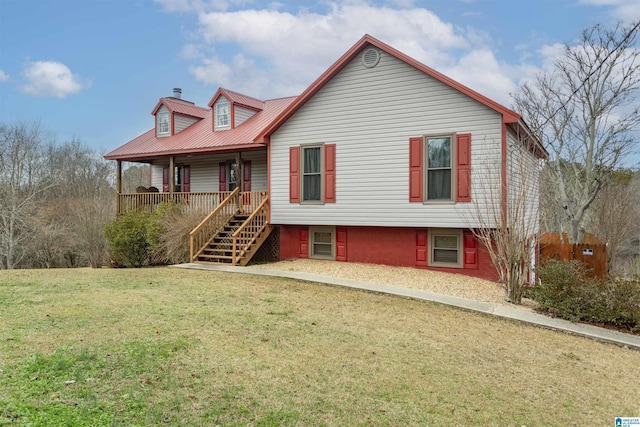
(21, 184)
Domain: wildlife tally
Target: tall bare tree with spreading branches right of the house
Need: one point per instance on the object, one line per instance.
(583, 110)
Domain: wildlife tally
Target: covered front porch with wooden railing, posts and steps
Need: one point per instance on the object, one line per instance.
(234, 218)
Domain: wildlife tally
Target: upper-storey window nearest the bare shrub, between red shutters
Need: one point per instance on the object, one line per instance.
(439, 183)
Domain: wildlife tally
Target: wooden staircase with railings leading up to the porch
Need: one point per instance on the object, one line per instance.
(233, 232)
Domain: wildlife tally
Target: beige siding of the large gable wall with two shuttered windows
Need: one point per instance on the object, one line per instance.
(370, 114)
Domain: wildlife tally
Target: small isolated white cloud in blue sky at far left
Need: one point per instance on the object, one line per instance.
(50, 78)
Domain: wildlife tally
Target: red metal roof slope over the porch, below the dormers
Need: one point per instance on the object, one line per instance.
(199, 137)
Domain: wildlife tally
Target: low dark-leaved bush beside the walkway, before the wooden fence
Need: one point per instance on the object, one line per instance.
(565, 292)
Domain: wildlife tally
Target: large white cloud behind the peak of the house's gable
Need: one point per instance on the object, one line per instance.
(295, 48)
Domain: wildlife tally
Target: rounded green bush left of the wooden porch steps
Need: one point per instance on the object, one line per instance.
(132, 238)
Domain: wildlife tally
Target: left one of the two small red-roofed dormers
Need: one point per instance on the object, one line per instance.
(173, 114)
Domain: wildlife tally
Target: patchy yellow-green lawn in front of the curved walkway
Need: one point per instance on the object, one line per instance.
(166, 346)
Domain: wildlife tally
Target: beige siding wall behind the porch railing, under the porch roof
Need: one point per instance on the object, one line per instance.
(205, 170)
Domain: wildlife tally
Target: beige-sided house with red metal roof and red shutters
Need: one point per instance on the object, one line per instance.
(377, 161)
